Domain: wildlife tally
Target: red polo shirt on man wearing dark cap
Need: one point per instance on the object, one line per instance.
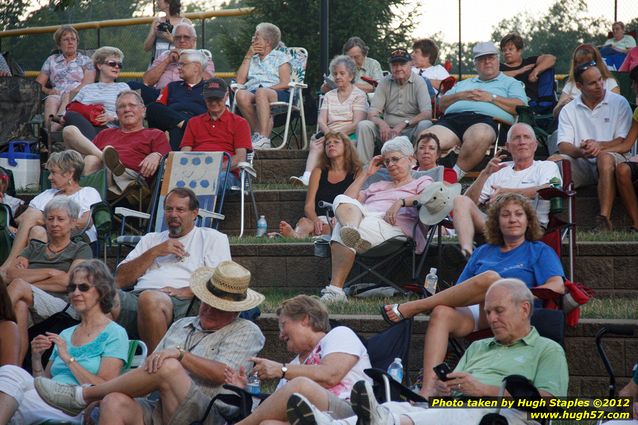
(229, 133)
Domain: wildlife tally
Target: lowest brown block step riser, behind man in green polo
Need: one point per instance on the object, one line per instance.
(586, 371)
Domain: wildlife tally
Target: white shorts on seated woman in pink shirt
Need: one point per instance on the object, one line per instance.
(373, 228)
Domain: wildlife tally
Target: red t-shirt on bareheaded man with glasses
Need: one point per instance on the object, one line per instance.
(133, 147)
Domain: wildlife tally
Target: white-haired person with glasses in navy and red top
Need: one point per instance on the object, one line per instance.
(180, 100)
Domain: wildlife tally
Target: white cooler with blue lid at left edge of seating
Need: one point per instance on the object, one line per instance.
(24, 165)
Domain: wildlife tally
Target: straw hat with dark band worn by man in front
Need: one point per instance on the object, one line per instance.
(225, 287)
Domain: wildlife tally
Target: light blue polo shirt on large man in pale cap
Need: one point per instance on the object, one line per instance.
(501, 85)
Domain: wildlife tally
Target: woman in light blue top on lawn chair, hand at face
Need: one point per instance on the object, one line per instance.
(265, 73)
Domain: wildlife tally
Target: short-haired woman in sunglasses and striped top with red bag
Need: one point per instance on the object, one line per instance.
(108, 63)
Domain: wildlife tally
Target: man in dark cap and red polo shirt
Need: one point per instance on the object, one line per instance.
(219, 130)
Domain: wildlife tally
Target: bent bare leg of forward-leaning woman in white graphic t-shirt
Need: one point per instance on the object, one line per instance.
(274, 407)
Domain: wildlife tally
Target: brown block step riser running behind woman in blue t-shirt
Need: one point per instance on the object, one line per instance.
(609, 268)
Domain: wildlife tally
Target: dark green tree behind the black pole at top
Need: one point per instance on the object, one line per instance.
(383, 24)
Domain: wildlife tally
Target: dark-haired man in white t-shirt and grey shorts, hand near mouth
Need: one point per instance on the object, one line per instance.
(160, 267)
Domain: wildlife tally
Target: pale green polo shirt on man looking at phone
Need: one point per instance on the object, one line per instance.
(539, 359)
